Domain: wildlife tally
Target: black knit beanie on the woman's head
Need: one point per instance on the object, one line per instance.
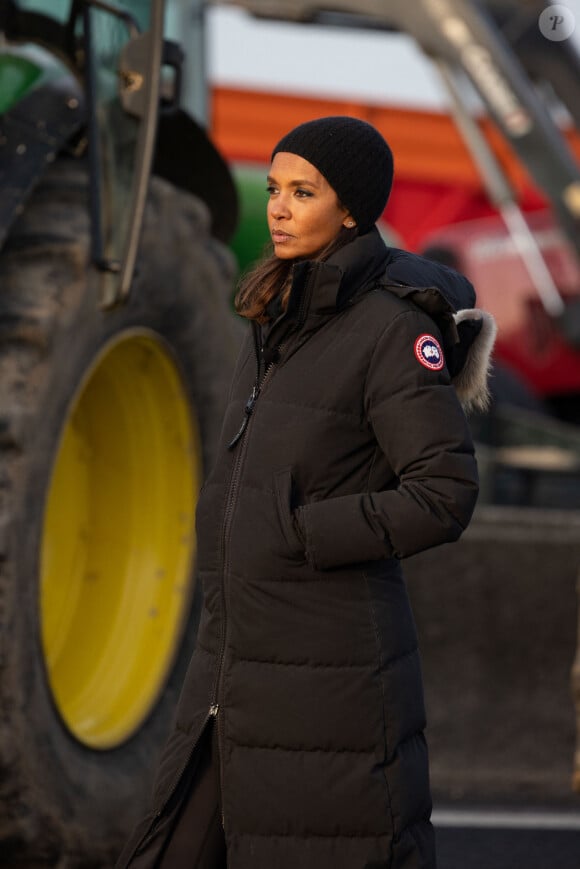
(353, 157)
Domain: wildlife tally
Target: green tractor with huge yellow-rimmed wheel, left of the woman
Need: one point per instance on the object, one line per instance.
(116, 347)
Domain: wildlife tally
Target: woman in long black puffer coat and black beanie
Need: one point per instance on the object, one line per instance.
(299, 735)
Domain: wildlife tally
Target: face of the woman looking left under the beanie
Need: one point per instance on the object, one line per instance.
(304, 214)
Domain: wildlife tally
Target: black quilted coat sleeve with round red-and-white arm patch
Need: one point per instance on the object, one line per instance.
(420, 426)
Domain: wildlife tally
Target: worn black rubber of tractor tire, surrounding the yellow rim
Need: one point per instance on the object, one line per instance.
(47, 292)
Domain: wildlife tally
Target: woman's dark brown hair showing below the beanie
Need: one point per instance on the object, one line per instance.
(273, 276)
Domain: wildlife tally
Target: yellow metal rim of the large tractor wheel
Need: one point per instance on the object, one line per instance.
(118, 540)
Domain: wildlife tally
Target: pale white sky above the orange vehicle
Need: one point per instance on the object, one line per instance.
(325, 61)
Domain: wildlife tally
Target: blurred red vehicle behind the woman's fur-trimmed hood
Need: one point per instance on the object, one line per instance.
(530, 341)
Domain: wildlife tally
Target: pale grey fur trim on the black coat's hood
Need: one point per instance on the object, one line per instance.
(471, 381)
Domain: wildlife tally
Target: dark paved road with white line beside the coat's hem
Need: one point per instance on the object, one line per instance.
(510, 839)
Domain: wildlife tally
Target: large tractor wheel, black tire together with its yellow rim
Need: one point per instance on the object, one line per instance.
(108, 420)
